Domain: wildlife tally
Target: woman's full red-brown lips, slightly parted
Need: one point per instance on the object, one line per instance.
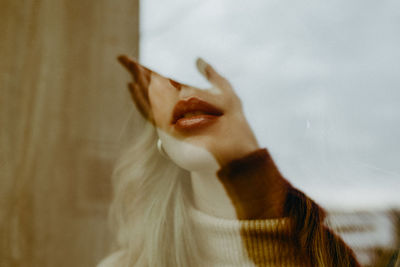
(193, 114)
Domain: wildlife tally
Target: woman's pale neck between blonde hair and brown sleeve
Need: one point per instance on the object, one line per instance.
(210, 196)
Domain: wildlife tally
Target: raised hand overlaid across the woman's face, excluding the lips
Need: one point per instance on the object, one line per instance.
(155, 96)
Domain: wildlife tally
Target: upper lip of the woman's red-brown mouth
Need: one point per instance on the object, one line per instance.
(193, 104)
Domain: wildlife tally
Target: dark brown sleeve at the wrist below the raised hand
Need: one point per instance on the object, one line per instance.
(255, 185)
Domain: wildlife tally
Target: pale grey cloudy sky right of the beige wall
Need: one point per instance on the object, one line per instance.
(319, 81)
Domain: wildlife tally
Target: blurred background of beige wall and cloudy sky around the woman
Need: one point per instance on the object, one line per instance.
(319, 84)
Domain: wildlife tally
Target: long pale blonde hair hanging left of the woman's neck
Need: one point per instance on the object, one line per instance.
(149, 209)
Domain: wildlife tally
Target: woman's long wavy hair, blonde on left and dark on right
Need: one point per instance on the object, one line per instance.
(149, 214)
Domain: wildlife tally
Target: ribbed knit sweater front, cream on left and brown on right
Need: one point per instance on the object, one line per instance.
(225, 242)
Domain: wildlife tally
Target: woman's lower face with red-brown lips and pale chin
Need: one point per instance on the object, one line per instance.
(188, 121)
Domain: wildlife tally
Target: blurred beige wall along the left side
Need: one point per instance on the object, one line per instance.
(63, 102)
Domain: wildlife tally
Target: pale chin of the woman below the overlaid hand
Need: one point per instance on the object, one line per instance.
(193, 158)
